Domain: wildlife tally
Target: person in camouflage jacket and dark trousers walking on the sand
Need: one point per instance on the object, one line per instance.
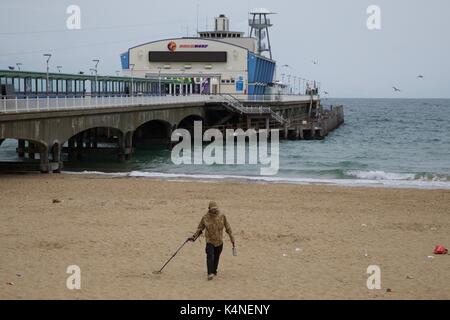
(214, 222)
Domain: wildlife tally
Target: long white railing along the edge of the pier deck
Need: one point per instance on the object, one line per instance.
(20, 105)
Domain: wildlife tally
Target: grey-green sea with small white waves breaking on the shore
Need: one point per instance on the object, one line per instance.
(390, 143)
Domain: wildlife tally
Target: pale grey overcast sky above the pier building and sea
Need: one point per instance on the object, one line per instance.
(352, 60)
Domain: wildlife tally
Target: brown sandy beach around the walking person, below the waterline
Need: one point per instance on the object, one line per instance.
(294, 242)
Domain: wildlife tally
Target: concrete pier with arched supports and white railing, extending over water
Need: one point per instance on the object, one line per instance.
(48, 128)
